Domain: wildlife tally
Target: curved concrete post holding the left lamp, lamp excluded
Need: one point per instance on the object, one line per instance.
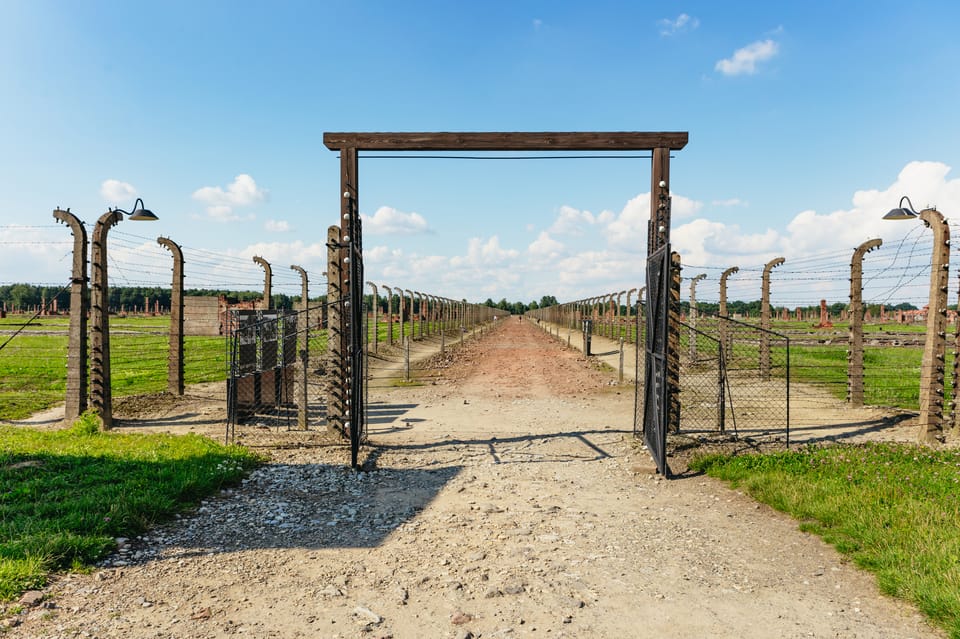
(101, 397)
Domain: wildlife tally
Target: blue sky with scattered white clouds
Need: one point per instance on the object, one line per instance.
(807, 122)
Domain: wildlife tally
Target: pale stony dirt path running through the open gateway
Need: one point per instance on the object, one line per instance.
(501, 500)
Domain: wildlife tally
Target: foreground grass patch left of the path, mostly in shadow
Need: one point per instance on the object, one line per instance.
(65, 495)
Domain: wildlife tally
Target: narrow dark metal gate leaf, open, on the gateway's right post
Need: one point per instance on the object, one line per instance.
(656, 392)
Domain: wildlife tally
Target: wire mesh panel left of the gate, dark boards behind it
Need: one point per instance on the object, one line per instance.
(275, 369)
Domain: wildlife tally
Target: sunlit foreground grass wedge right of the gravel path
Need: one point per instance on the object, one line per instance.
(893, 509)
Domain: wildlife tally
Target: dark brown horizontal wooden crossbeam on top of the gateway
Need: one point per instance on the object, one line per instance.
(508, 141)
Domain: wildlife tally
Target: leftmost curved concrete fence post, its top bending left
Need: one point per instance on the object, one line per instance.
(77, 374)
